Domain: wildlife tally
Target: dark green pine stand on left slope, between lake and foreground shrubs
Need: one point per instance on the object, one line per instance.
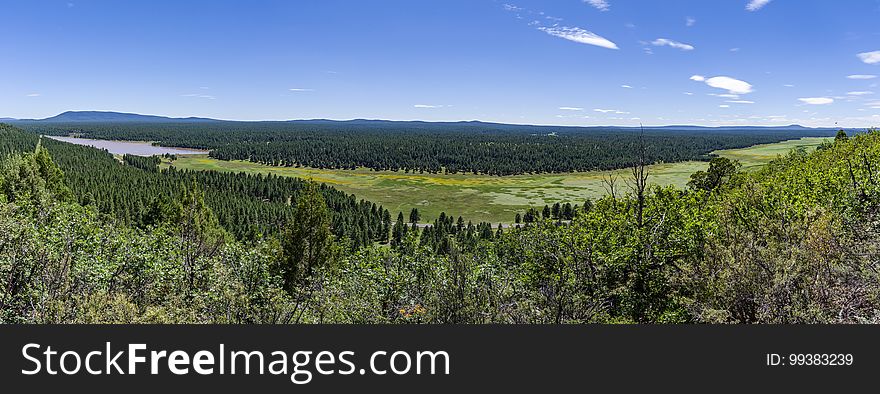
(248, 206)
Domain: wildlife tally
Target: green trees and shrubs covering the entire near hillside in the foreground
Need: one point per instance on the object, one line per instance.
(797, 241)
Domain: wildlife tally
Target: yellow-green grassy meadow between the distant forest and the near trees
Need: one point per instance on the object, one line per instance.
(481, 197)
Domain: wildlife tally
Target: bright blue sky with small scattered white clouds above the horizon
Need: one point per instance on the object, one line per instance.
(566, 62)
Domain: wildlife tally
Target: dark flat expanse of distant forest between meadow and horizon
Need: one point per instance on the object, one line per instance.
(429, 147)
